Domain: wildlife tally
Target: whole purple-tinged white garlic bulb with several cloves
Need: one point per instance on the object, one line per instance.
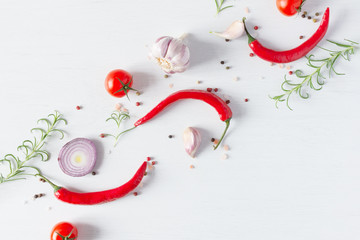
(171, 54)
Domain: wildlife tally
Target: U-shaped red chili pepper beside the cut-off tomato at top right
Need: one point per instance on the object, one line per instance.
(293, 54)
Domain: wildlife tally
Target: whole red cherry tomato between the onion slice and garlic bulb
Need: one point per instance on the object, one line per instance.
(118, 83)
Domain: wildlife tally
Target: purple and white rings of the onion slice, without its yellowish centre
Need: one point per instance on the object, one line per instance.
(78, 144)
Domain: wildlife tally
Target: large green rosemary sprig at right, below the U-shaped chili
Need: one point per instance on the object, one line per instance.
(315, 80)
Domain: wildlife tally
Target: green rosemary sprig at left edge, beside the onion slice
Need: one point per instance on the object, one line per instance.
(32, 149)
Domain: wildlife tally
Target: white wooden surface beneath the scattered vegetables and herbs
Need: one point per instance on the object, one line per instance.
(289, 175)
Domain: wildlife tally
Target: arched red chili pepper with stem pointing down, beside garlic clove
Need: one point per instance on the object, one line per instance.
(220, 106)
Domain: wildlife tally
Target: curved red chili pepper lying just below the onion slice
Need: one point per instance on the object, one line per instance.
(91, 198)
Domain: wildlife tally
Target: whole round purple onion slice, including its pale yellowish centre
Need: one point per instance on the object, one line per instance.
(77, 157)
